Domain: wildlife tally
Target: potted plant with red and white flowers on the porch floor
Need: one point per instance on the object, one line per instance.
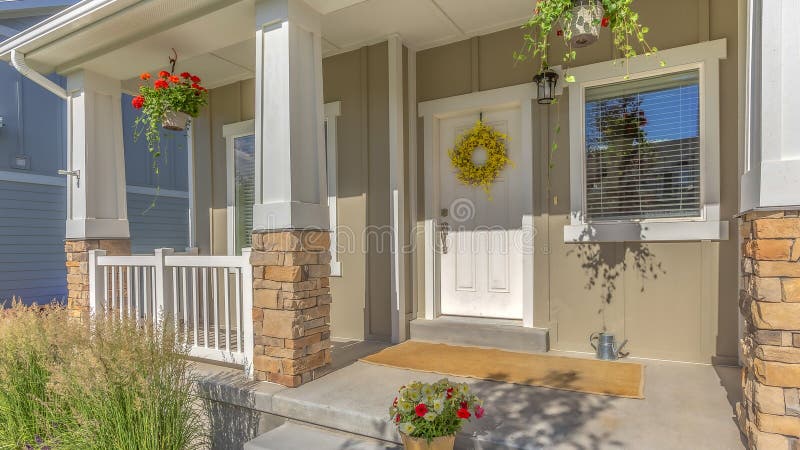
(428, 416)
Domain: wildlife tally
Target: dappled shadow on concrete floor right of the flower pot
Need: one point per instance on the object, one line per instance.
(556, 417)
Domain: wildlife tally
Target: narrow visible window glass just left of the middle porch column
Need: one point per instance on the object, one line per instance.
(244, 183)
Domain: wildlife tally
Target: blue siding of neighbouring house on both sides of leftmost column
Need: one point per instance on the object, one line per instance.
(33, 199)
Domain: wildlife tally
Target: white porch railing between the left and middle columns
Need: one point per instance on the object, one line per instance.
(210, 297)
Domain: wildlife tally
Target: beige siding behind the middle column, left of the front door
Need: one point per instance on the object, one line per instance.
(359, 80)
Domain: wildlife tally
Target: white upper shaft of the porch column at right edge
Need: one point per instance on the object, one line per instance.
(772, 140)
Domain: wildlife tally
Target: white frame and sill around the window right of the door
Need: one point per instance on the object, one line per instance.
(704, 57)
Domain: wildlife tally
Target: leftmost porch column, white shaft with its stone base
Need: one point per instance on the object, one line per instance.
(97, 217)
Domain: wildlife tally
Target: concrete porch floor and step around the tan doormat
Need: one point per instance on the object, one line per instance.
(686, 406)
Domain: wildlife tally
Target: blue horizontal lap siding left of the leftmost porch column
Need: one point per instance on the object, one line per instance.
(32, 242)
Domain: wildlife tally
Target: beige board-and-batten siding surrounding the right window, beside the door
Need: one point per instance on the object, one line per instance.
(686, 309)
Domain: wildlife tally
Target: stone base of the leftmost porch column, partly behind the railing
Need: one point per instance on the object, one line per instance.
(77, 251)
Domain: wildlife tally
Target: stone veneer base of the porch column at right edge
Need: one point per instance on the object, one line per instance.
(769, 414)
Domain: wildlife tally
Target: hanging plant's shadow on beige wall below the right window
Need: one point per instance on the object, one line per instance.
(605, 267)
